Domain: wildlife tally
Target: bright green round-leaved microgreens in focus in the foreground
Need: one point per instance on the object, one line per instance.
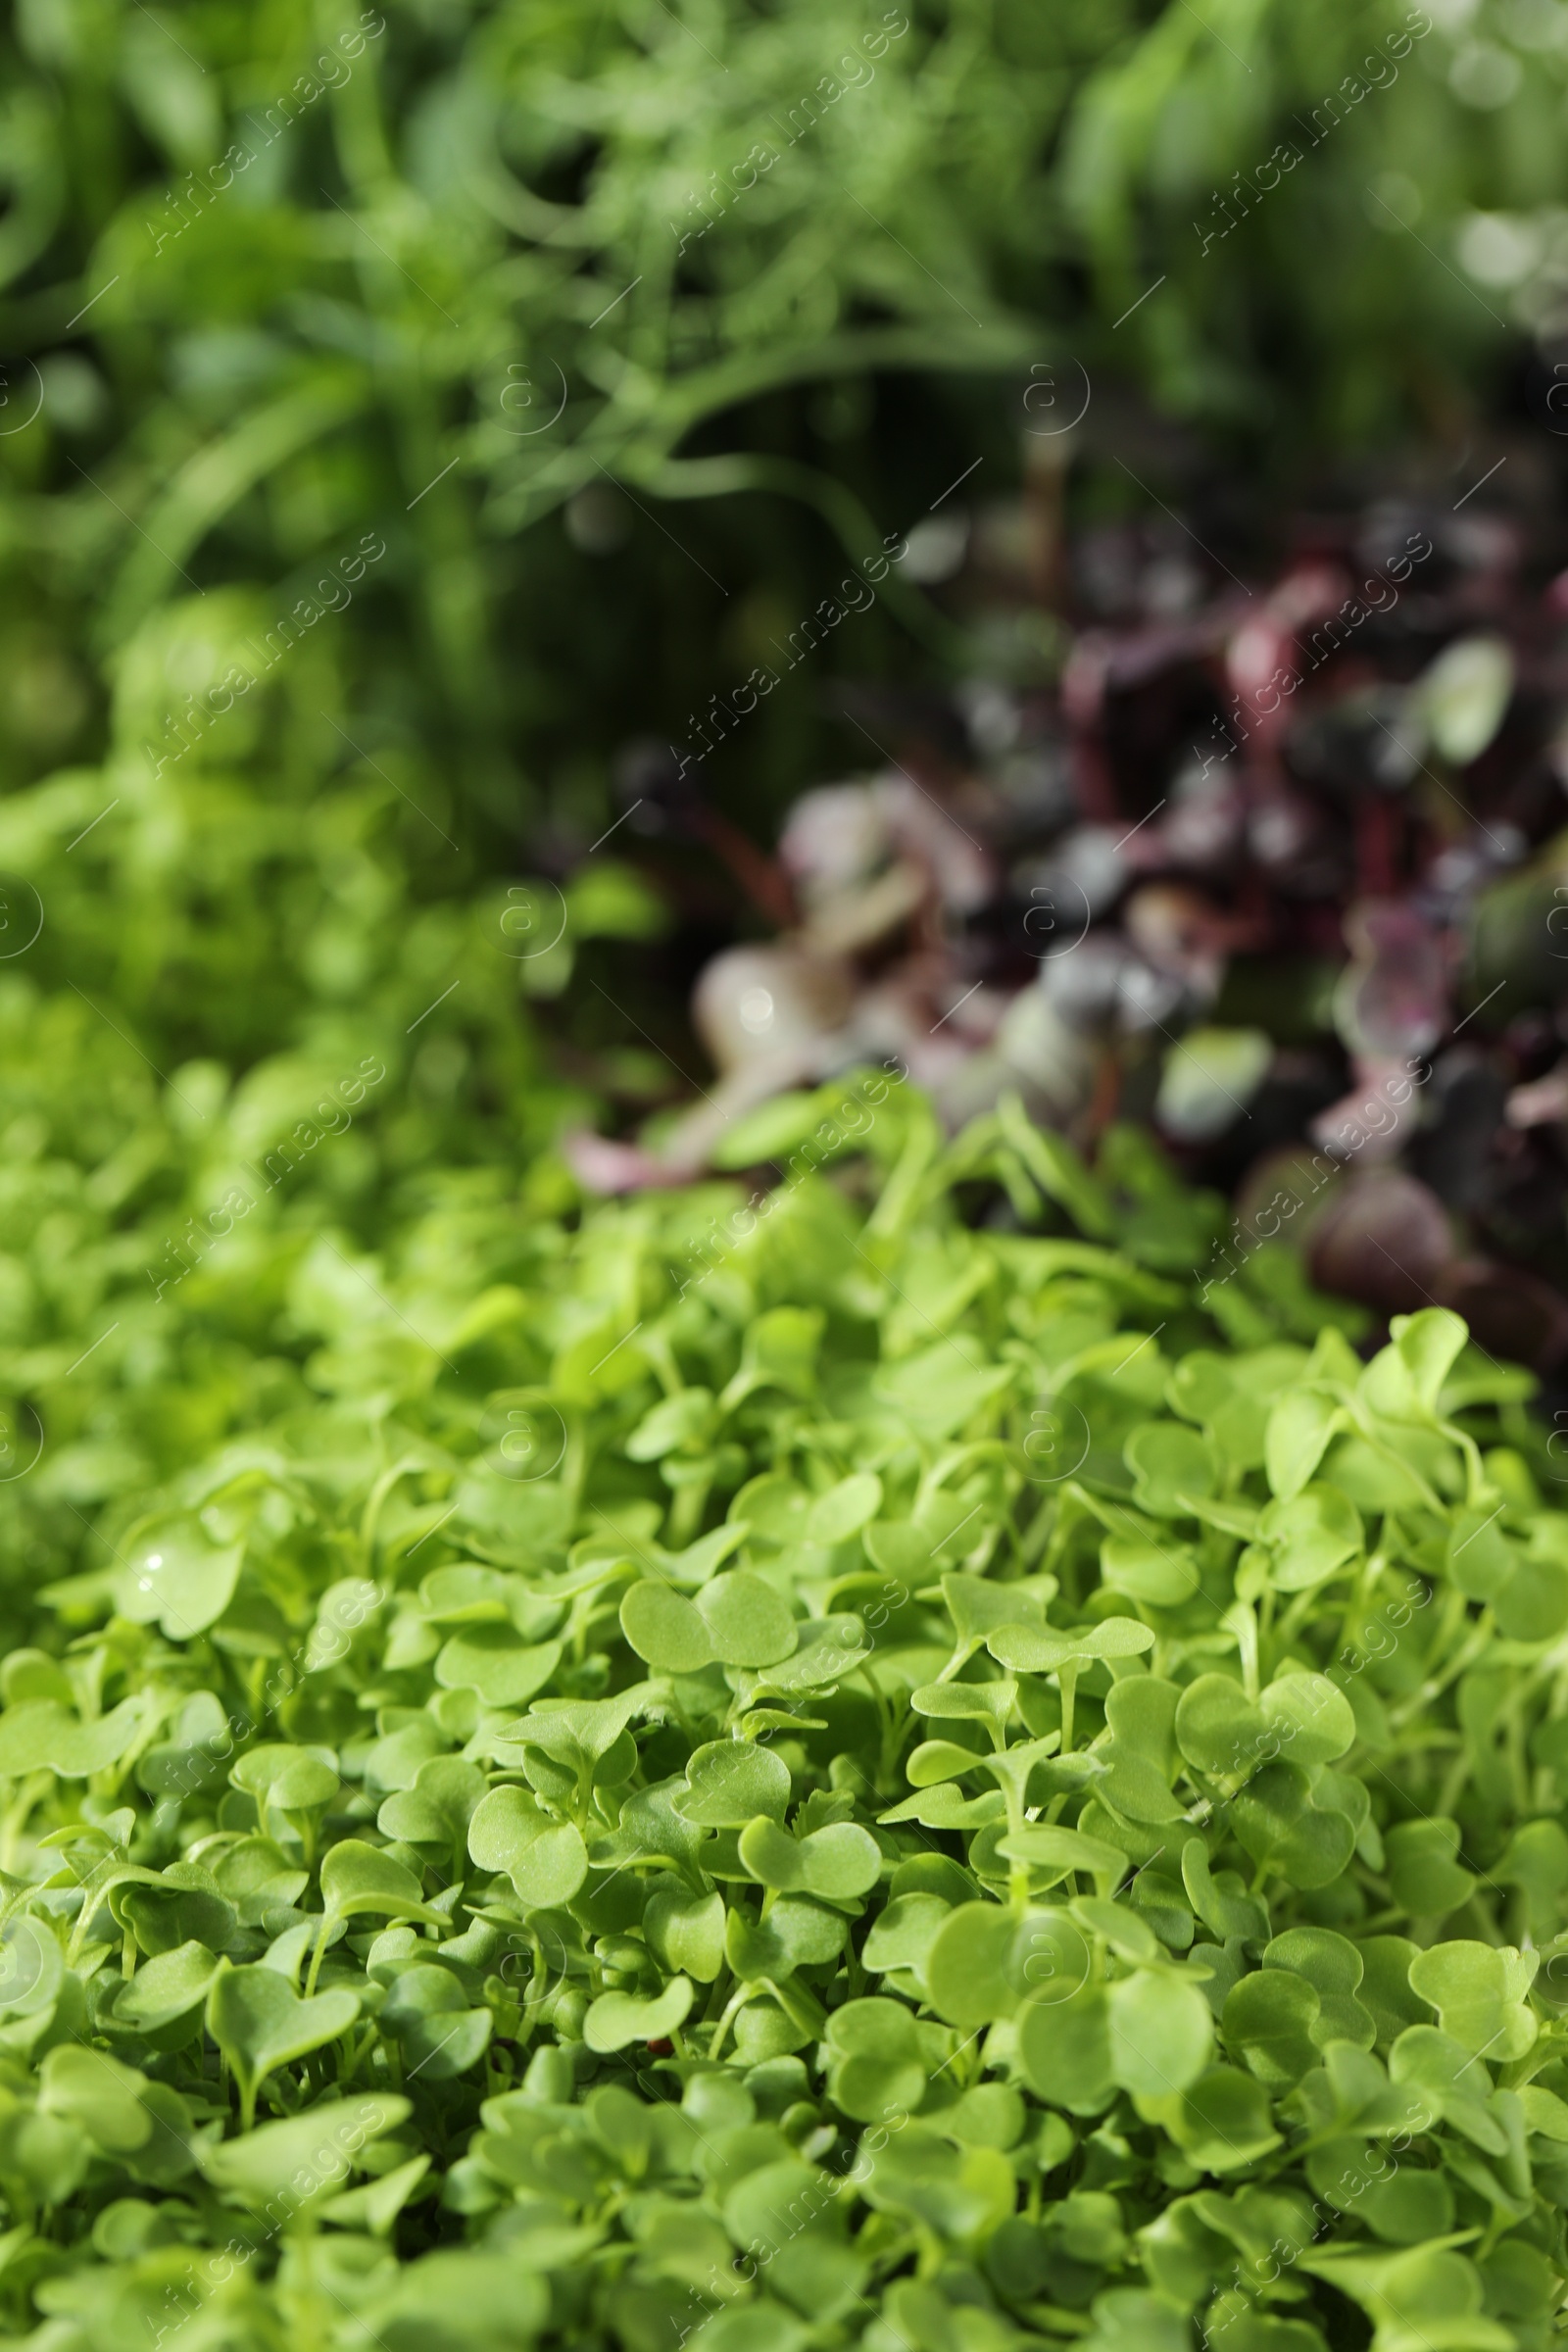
(805, 1770)
